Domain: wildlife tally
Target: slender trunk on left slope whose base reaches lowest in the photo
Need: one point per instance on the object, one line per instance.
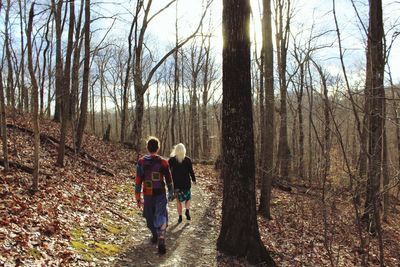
(35, 119)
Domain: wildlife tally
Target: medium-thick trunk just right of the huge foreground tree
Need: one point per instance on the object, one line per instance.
(268, 124)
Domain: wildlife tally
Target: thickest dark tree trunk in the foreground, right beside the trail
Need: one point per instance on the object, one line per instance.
(242, 237)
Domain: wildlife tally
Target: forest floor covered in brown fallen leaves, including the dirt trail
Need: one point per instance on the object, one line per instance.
(84, 215)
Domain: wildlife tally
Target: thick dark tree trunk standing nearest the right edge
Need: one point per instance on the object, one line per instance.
(376, 98)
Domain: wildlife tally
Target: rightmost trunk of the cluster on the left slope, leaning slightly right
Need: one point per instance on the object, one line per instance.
(85, 82)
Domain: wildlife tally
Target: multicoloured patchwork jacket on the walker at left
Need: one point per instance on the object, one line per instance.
(153, 173)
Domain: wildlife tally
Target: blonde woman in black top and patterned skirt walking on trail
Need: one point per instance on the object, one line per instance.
(182, 175)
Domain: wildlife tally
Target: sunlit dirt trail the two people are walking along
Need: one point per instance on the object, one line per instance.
(190, 243)
